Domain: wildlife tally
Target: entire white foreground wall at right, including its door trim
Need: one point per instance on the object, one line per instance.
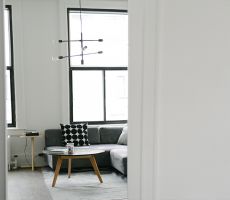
(191, 125)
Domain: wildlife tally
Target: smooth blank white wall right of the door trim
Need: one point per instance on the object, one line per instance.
(193, 100)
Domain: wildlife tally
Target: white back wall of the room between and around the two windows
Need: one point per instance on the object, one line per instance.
(42, 93)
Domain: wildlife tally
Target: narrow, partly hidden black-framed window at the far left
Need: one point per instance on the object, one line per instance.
(9, 62)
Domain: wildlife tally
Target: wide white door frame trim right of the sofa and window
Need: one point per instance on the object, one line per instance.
(142, 147)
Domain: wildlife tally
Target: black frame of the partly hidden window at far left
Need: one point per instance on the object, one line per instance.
(11, 69)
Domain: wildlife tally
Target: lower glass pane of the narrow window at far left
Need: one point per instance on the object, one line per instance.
(8, 99)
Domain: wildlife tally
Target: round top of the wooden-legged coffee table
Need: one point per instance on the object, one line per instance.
(78, 151)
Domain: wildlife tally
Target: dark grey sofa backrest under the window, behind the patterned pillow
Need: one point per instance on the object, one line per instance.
(96, 135)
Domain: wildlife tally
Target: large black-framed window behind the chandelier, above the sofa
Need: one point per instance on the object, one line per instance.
(99, 88)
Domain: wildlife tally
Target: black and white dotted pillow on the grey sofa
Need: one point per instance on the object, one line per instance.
(75, 133)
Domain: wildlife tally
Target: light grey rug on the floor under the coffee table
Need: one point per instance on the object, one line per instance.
(86, 186)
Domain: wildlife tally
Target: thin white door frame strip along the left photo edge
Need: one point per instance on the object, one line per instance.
(3, 157)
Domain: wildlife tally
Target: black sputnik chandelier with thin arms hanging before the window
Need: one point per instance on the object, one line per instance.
(81, 40)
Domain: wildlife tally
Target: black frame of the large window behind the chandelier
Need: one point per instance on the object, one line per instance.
(103, 69)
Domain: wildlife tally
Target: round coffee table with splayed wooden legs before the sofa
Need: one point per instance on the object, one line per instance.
(84, 153)
